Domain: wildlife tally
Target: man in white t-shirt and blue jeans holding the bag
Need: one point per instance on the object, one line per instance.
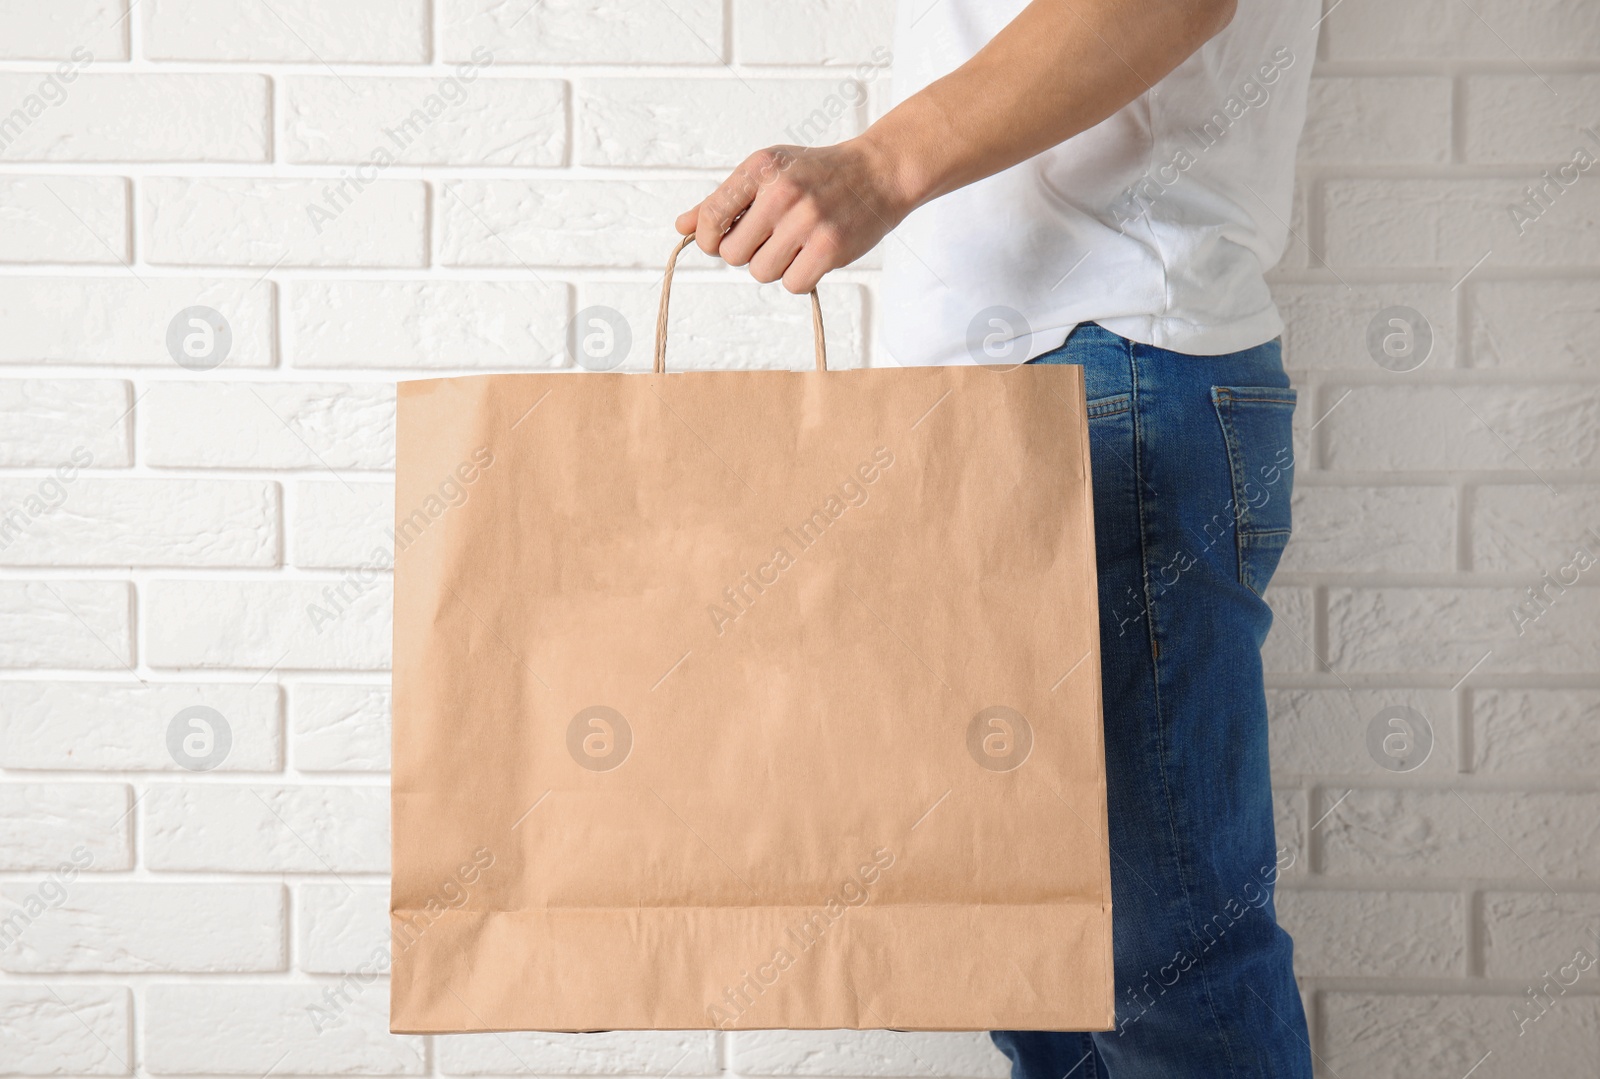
(1105, 183)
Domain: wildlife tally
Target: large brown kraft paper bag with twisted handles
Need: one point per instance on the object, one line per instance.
(748, 700)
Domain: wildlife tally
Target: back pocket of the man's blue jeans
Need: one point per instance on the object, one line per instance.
(1260, 436)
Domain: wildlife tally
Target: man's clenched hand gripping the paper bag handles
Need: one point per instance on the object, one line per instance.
(799, 212)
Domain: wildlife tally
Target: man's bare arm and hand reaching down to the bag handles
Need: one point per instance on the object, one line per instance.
(1060, 68)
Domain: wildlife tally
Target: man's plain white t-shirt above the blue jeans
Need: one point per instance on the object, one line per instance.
(1158, 223)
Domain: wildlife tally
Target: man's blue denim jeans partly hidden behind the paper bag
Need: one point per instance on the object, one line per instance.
(1193, 467)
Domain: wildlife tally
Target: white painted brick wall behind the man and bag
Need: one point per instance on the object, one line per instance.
(329, 177)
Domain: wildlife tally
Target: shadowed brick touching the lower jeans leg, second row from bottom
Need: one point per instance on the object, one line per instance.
(1375, 934)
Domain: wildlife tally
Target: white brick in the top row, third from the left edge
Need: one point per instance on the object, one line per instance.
(575, 33)
